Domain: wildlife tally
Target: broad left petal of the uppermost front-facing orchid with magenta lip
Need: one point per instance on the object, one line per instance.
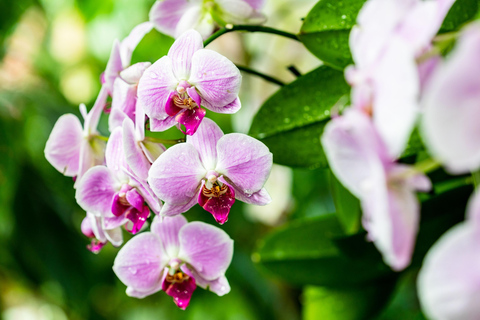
(155, 86)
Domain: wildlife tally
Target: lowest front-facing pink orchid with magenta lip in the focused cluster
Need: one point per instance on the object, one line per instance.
(175, 257)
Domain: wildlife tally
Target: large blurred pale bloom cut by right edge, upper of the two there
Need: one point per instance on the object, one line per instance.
(451, 122)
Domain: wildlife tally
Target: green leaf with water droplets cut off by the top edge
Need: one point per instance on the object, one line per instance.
(326, 29)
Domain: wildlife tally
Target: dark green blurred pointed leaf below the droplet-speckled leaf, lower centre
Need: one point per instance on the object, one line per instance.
(311, 251)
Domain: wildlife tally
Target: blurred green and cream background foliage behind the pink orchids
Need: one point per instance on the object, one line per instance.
(52, 54)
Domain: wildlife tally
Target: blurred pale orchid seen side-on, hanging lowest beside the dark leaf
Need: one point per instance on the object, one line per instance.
(360, 160)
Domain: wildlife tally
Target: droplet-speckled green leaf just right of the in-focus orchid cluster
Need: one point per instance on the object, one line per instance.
(291, 121)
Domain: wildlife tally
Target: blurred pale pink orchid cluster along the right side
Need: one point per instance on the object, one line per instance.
(400, 73)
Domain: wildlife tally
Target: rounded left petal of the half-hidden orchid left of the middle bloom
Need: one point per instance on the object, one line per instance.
(96, 190)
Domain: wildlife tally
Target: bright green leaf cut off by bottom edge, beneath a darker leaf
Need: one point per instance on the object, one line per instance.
(346, 303)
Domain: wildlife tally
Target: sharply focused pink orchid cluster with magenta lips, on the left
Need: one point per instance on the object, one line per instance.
(123, 179)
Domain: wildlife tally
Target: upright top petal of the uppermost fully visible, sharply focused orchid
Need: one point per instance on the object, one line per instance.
(181, 53)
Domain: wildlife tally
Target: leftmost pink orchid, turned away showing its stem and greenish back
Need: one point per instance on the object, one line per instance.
(73, 149)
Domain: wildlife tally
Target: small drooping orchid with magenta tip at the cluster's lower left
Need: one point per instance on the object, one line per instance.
(102, 230)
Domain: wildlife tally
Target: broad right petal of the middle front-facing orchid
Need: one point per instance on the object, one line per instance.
(246, 161)
